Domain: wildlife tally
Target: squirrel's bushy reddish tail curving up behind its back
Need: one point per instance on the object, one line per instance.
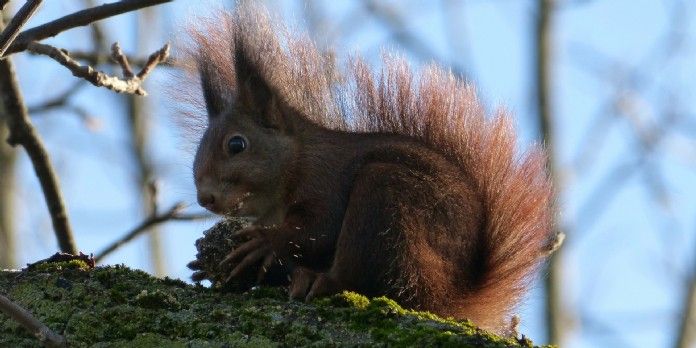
(444, 112)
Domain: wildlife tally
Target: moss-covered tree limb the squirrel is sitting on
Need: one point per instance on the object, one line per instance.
(118, 307)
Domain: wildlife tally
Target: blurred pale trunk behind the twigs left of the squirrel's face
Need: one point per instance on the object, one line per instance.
(139, 122)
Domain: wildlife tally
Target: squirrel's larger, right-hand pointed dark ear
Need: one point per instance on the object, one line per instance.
(255, 94)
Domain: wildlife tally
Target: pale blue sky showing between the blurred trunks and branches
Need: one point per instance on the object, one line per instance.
(623, 269)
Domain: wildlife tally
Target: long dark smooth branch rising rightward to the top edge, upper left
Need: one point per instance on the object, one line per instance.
(78, 19)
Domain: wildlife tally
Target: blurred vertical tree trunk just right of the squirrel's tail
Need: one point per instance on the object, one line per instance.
(555, 316)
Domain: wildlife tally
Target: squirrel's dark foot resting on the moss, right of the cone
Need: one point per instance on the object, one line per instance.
(307, 284)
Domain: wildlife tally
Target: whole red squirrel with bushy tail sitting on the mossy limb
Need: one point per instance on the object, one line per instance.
(392, 183)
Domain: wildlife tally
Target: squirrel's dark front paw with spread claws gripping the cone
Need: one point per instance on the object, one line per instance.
(257, 248)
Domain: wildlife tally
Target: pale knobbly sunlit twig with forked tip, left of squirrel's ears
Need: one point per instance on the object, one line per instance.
(130, 84)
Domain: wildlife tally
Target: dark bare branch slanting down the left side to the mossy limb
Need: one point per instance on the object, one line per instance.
(23, 132)
